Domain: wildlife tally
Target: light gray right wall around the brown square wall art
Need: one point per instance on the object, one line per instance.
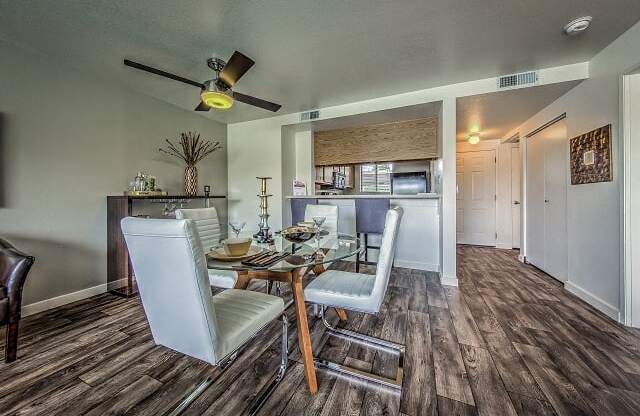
(594, 217)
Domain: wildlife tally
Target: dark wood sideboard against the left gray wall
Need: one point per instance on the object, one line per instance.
(120, 277)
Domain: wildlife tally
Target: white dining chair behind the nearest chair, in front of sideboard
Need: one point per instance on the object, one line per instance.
(208, 226)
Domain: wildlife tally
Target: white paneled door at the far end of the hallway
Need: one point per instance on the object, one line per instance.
(476, 215)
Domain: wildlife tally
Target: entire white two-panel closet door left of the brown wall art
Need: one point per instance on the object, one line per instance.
(546, 202)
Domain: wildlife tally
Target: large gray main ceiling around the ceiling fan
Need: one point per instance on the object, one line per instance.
(312, 54)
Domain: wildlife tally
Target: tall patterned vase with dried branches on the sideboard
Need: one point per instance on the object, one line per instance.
(191, 149)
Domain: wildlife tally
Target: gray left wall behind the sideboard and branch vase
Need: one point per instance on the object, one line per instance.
(67, 140)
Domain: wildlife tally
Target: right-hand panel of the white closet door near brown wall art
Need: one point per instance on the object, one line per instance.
(555, 228)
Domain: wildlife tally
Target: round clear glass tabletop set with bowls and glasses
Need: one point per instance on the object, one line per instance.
(317, 251)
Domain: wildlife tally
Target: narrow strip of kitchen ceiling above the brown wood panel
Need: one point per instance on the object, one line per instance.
(413, 112)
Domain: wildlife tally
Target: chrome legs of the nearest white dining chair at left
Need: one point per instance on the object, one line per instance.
(262, 396)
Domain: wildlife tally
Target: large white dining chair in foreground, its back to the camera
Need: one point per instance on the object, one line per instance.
(171, 272)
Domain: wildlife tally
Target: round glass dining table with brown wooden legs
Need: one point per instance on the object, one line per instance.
(314, 255)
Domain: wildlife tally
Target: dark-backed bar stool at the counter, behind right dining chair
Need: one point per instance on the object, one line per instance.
(370, 216)
